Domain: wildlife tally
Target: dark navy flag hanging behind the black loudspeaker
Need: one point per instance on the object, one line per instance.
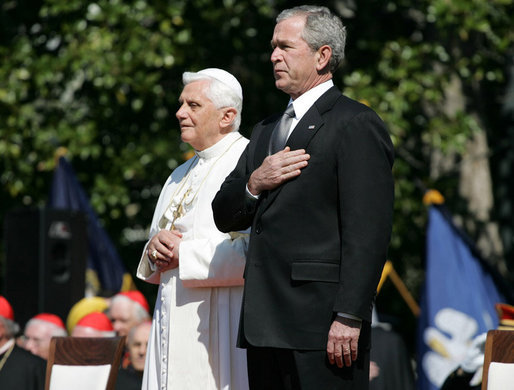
(106, 271)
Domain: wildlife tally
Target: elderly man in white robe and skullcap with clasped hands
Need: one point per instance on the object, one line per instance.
(199, 269)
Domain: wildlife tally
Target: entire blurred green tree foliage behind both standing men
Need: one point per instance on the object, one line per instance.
(102, 79)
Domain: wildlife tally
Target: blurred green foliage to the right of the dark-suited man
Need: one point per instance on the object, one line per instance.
(404, 59)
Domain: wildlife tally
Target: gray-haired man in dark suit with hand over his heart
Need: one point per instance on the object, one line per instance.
(321, 214)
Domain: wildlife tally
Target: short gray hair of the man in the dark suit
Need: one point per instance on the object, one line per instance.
(321, 28)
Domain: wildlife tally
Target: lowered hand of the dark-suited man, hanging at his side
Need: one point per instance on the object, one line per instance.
(343, 341)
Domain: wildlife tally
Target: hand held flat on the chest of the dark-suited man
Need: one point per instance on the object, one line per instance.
(277, 169)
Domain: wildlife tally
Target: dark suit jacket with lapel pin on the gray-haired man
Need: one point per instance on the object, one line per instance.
(318, 242)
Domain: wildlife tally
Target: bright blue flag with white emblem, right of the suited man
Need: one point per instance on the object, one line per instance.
(457, 302)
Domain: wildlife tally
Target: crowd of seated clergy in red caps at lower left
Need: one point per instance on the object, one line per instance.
(25, 349)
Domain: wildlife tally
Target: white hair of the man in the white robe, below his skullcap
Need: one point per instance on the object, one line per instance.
(219, 94)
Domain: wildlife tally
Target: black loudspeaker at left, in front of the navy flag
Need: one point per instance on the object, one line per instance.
(45, 270)
